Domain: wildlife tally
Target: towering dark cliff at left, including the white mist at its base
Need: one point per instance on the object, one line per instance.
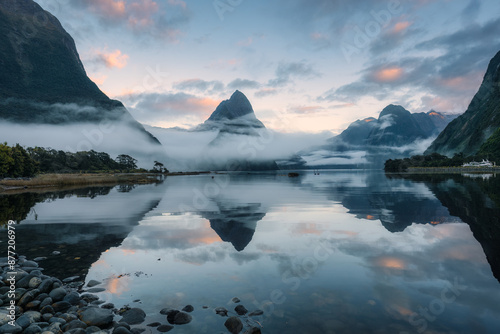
(43, 84)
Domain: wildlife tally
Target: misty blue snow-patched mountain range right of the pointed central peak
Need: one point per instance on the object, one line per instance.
(369, 142)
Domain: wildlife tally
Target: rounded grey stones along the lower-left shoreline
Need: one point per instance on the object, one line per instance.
(32, 303)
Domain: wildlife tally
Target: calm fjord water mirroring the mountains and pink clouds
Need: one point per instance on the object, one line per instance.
(338, 252)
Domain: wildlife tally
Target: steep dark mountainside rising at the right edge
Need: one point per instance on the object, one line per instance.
(473, 128)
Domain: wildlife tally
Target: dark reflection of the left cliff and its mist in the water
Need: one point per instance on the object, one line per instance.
(79, 224)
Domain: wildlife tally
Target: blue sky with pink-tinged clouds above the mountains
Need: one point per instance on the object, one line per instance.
(305, 65)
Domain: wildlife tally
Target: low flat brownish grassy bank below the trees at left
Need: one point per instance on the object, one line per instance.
(65, 180)
